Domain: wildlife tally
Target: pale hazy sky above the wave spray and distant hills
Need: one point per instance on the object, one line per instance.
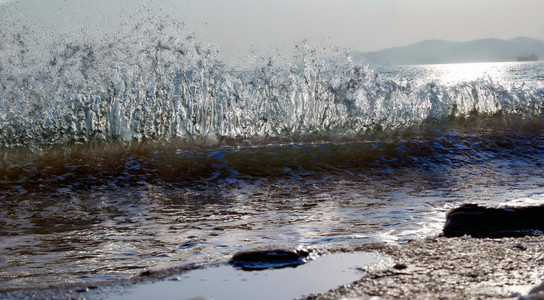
(365, 25)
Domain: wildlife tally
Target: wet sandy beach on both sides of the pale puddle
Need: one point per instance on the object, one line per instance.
(432, 268)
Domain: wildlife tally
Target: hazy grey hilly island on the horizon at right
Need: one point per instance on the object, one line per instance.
(441, 51)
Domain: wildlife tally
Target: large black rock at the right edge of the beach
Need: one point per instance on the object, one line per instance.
(484, 222)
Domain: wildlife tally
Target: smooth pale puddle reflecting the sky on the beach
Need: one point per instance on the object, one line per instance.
(225, 282)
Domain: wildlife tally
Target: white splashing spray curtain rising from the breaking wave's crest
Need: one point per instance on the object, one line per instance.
(153, 80)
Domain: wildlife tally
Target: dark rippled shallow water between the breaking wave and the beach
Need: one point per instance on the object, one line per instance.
(89, 228)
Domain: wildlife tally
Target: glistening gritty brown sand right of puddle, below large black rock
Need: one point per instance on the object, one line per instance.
(451, 268)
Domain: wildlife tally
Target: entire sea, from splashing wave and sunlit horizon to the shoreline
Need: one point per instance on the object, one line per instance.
(146, 151)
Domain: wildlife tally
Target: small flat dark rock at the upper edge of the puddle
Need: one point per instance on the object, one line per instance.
(266, 259)
